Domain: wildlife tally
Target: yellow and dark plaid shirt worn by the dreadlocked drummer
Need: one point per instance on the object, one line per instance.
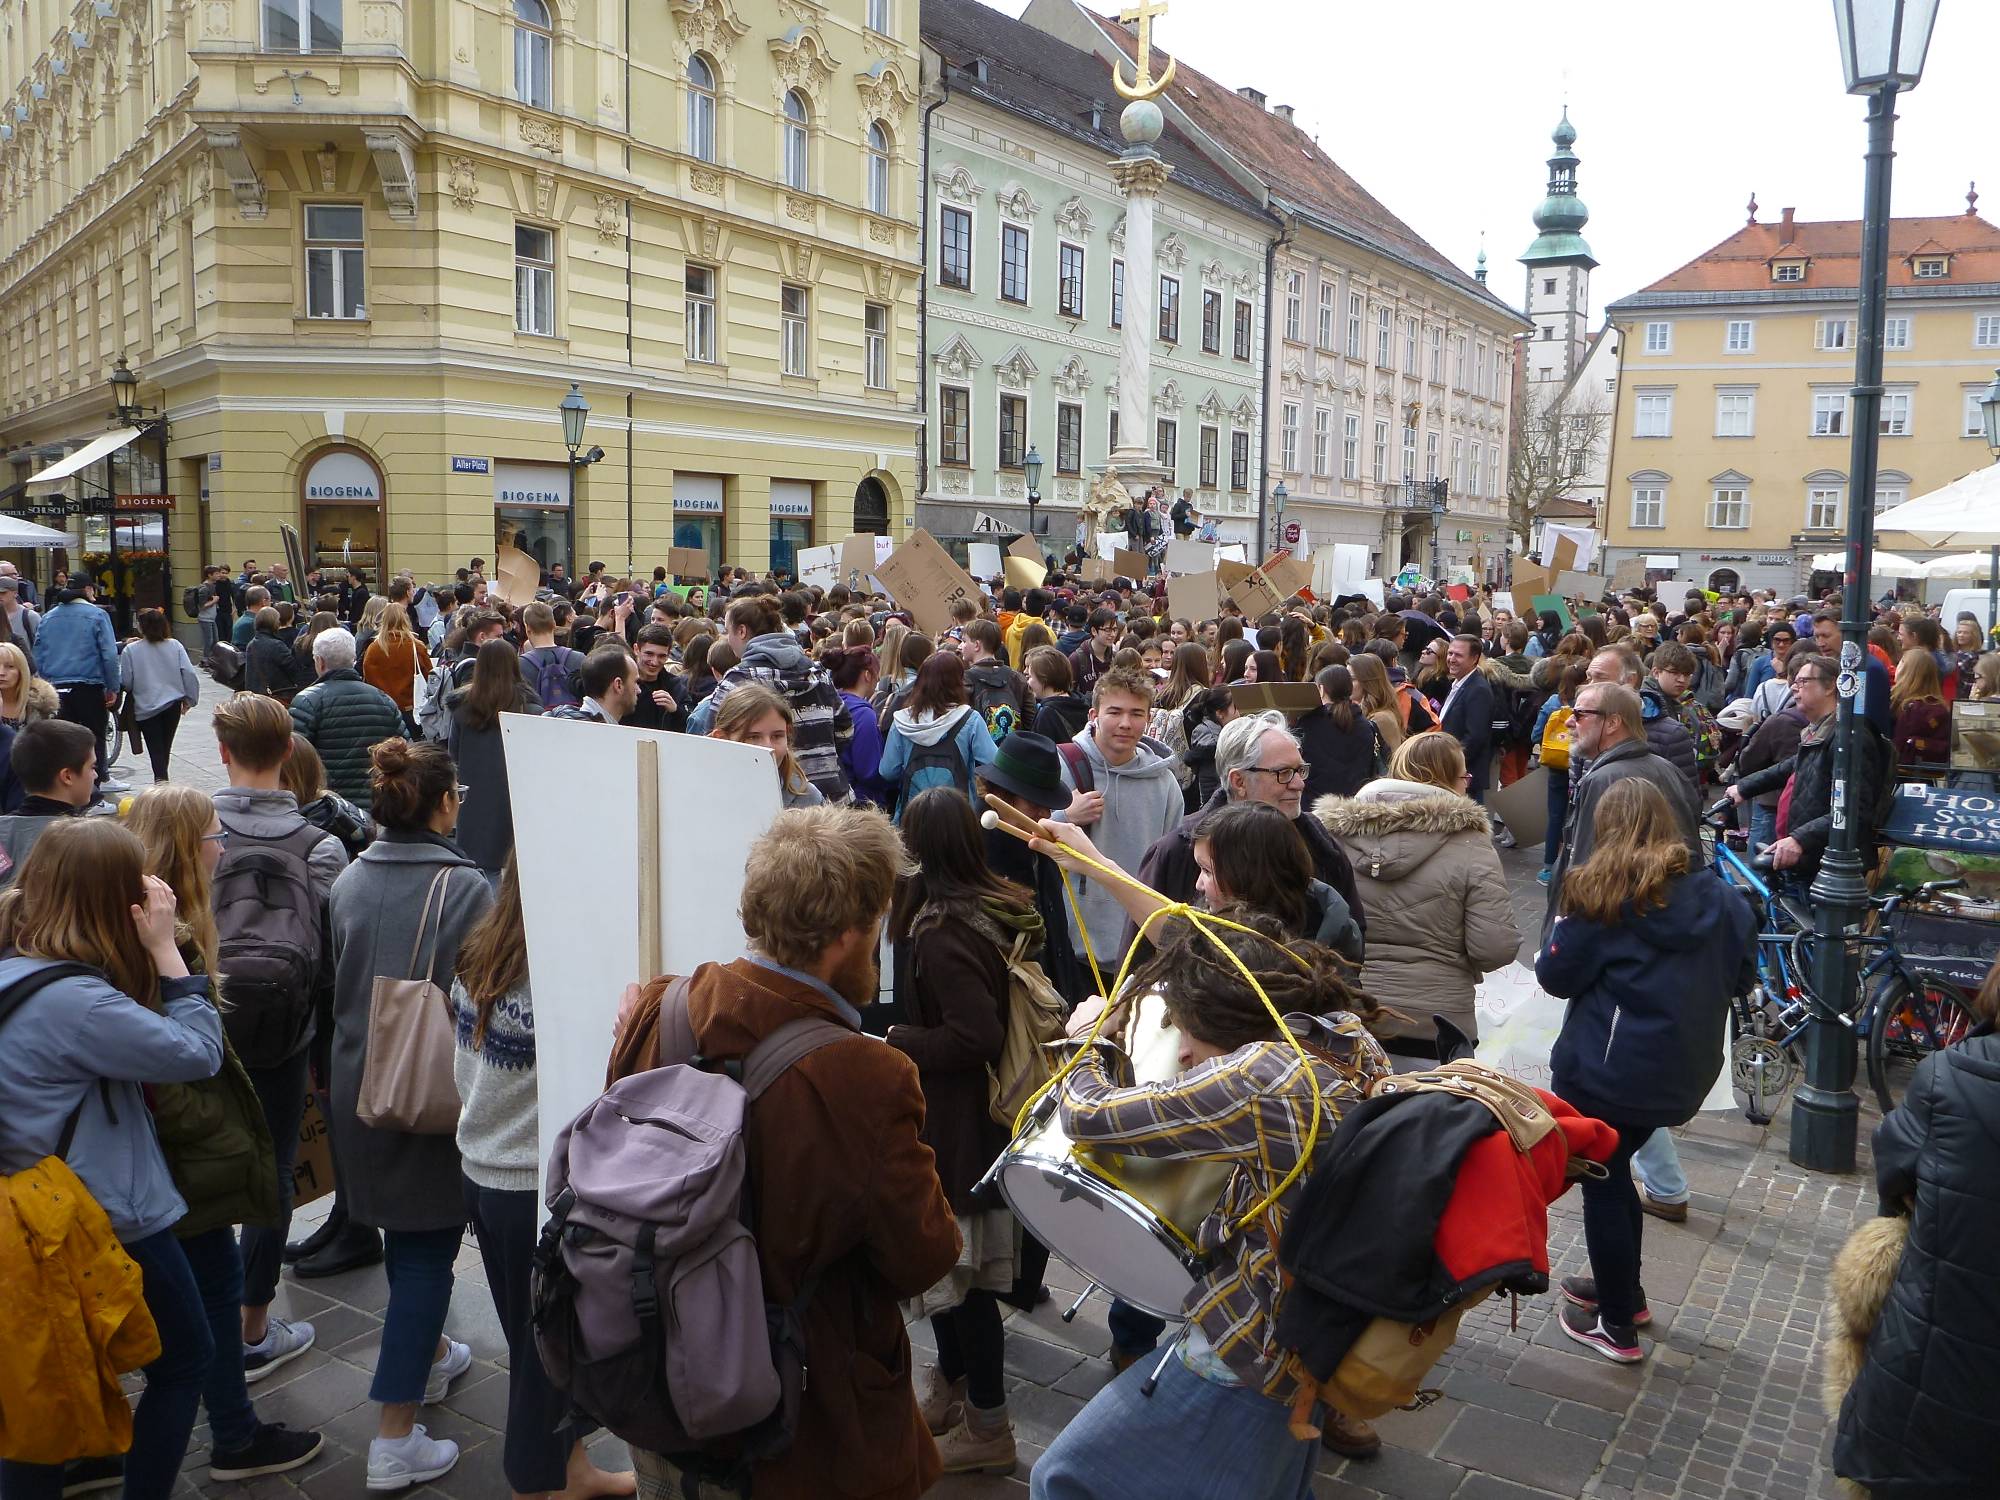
(1249, 1109)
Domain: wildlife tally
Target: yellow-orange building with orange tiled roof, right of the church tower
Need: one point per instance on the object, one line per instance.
(1731, 437)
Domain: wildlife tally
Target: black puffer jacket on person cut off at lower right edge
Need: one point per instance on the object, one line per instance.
(1921, 1421)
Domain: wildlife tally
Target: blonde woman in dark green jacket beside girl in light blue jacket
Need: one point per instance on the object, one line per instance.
(217, 1143)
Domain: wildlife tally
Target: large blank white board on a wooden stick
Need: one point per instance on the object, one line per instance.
(579, 843)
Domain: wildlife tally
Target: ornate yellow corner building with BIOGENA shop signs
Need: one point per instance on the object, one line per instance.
(359, 249)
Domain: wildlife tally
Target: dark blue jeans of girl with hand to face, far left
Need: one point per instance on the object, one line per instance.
(167, 1411)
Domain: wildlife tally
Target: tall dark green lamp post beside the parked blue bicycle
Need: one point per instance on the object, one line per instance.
(1883, 49)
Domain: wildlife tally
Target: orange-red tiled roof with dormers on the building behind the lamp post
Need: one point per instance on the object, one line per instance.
(1835, 255)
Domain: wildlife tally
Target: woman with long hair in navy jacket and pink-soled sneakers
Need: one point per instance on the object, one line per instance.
(1649, 951)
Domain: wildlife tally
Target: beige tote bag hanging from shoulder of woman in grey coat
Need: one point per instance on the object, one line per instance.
(407, 1077)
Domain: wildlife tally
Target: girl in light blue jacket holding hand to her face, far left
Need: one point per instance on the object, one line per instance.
(81, 1053)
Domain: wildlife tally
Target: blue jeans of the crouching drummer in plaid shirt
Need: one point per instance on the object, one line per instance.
(1189, 1441)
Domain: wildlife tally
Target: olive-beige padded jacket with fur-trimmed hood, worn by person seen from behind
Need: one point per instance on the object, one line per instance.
(1437, 901)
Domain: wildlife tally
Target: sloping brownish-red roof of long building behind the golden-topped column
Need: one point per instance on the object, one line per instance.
(1295, 167)
